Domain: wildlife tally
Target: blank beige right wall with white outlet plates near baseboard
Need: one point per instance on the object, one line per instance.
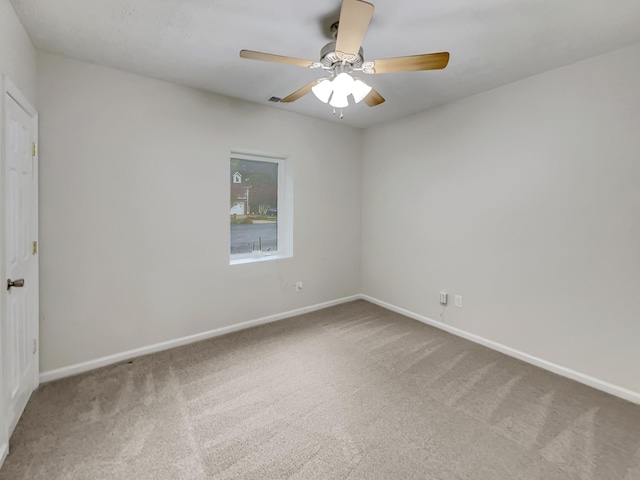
(525, 200)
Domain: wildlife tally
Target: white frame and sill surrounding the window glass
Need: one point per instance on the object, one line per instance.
(285, 212)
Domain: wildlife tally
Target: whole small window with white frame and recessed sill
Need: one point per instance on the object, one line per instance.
(259, 217)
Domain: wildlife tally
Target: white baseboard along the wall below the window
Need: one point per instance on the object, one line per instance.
(119, 357)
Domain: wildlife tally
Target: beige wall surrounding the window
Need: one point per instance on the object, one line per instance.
(134, 205)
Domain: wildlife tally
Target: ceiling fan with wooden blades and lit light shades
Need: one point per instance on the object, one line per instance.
(344, 56)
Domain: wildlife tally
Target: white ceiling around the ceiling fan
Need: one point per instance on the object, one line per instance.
(197, 42)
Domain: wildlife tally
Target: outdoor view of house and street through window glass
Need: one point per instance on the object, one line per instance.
(254, 207)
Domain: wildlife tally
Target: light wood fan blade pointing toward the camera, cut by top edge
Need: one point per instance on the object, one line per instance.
(355, 16)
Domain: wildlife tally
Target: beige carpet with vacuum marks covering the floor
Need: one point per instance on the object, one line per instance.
(350, 392)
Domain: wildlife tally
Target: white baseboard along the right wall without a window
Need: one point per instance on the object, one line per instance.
(616, 390)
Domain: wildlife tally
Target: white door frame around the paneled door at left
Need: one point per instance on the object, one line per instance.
(8, 88)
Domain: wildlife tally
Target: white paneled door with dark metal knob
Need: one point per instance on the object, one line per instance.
(20, 330)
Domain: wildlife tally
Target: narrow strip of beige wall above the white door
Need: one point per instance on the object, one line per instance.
(17, 55)
